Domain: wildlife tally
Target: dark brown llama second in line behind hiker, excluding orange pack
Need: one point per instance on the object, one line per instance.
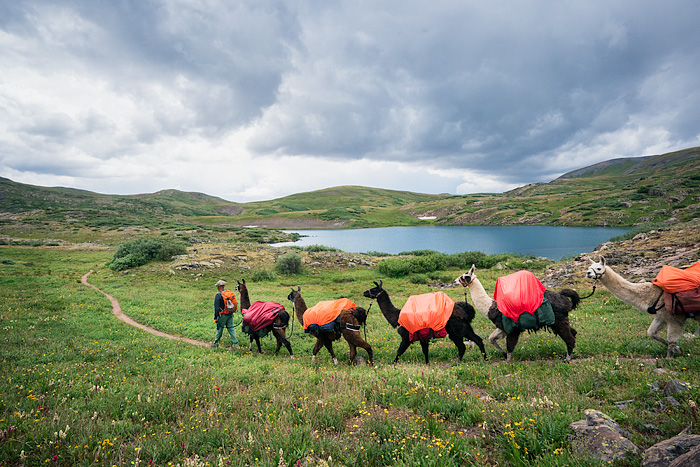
(350, 321)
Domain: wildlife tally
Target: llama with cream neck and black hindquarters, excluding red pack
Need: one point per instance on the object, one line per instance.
(562, 303)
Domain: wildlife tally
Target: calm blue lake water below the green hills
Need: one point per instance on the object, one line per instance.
(547, 241)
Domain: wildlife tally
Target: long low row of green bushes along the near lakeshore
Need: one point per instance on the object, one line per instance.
(426, 262)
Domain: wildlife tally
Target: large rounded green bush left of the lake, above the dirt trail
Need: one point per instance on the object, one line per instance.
(140, 251)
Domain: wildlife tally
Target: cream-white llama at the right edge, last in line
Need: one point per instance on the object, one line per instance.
(645, 297)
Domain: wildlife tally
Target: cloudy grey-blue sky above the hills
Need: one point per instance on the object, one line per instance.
(258, 99)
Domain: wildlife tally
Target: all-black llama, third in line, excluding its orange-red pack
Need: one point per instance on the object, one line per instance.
(458, 326)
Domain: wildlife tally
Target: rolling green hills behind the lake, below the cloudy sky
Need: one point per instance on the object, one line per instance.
(619, 192)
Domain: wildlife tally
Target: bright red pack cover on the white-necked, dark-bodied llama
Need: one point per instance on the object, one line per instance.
(518, 293)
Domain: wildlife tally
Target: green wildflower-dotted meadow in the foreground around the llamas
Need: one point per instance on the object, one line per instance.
(80, 387)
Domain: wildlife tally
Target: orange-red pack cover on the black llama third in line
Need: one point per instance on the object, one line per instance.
(429, 310)
